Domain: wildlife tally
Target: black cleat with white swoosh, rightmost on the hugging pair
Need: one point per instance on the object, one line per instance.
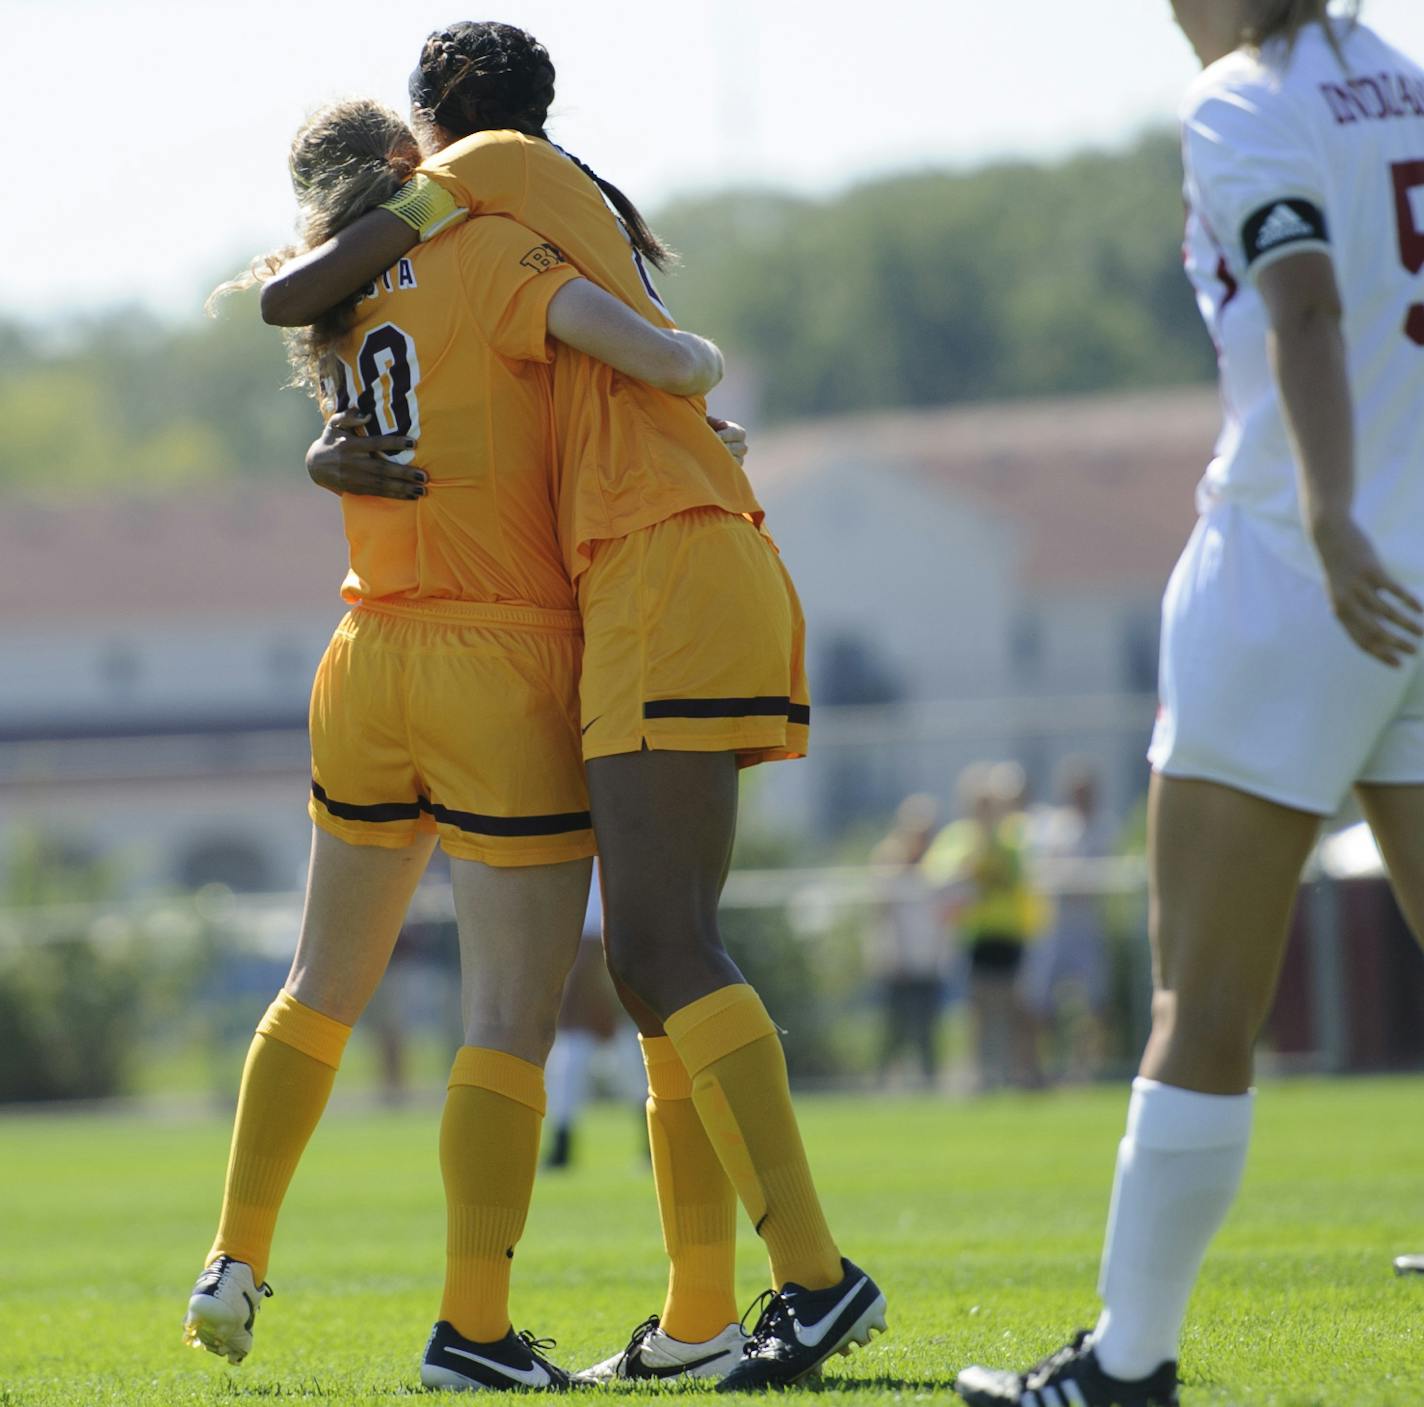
(800, 1329)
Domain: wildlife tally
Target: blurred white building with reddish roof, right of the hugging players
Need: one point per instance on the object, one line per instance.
(1012, 552)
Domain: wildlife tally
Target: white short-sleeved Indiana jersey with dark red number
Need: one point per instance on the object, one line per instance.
(1288, 155)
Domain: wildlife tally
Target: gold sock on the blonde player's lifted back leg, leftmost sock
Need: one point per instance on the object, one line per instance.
(286, 1083)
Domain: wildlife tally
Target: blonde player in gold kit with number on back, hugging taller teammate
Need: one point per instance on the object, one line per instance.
(445, 710)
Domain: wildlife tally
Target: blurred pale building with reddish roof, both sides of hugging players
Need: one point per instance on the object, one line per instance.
(159, 654)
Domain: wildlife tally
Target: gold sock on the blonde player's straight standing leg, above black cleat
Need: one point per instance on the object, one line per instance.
(489, 1156)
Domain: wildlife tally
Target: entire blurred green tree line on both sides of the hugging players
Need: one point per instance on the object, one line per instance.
(916, 290)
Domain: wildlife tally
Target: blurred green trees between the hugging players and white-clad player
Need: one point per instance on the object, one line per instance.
(928, 290)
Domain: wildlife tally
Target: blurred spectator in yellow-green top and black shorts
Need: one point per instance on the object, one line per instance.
(979, 862)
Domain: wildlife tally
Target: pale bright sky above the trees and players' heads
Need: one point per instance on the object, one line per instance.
(166, 125)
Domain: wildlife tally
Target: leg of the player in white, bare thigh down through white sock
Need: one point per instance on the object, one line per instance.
(1224, 871)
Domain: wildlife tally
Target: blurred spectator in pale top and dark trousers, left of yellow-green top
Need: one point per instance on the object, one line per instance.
(909, 946)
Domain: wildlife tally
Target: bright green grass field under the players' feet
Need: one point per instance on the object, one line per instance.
(982, 1223)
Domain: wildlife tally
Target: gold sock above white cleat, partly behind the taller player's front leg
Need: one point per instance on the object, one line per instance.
(696, 1203)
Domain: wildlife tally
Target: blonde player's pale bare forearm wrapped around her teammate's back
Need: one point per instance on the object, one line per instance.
(585, 317)
